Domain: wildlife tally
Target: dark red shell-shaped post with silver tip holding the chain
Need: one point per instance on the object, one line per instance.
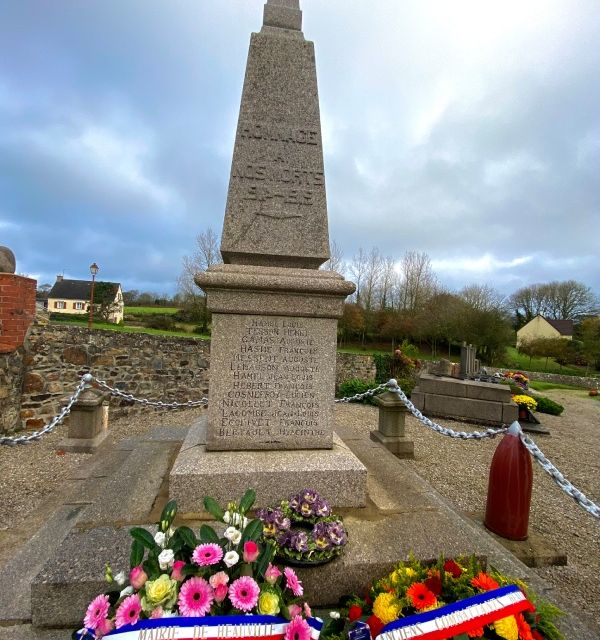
(509, 488)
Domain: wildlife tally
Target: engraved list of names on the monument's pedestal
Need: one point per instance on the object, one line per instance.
(273, 375)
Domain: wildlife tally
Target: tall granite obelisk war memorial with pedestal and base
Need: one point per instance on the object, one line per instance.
(274, 313)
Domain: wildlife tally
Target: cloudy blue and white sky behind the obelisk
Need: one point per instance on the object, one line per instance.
(466, 129)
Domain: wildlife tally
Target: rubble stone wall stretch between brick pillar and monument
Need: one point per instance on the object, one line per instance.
(154, 367)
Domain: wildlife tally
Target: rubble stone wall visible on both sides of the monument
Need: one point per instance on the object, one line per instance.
(35, 382)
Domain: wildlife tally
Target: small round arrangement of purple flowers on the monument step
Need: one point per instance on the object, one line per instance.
(303, 529)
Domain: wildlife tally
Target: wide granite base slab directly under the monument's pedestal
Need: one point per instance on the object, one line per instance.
(336, 473)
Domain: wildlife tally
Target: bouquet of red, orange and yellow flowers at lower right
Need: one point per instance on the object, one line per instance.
(415, 588)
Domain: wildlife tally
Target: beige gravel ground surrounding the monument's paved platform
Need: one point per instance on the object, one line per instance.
(31, 478)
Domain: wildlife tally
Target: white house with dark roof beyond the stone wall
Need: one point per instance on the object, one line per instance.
(73, 296)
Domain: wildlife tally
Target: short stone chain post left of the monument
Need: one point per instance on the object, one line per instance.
(88, 423)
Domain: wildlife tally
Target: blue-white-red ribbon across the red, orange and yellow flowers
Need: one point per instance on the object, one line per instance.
(459, 617)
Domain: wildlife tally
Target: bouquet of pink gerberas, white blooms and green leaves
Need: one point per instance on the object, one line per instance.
(175, 572)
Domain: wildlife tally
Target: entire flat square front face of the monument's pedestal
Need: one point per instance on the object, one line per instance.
(272, 382)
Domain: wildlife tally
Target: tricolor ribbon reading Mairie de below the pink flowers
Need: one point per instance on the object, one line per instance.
(209, 628)
